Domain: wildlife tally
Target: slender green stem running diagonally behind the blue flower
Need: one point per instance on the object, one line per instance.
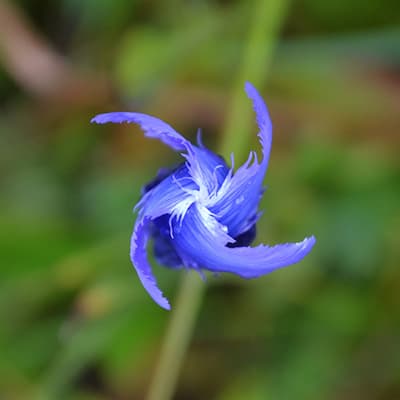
(268, 18)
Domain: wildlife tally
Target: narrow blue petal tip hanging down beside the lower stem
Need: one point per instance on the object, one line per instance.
(139, 260)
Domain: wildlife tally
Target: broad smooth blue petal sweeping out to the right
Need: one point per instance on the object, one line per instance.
(201, 242)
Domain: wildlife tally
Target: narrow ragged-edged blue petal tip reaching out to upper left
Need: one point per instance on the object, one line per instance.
(152, 127)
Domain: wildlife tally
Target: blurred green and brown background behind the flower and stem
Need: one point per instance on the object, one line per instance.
(75, 322)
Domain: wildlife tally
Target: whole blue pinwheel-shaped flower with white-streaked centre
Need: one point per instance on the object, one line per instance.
(203, 214)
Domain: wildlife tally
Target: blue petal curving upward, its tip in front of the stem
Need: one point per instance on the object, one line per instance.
(238, 197)
